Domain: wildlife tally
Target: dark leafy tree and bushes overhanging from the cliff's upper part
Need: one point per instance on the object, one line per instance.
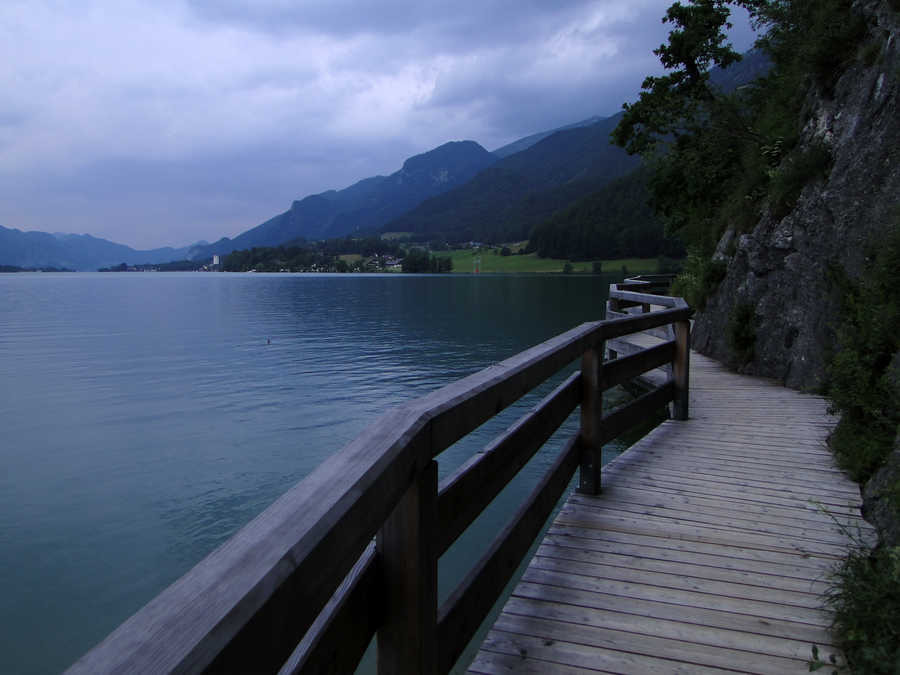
(719, 159)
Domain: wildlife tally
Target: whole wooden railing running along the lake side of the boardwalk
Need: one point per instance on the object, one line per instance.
(303, 588)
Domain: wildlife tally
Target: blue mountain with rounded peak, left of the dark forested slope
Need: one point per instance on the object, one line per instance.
(367, 204)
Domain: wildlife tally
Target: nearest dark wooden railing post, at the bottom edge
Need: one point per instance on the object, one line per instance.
(407, 641)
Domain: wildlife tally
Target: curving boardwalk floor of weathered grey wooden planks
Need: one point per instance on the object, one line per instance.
(708, 551)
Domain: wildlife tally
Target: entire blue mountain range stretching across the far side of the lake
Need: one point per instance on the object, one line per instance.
(458, 190)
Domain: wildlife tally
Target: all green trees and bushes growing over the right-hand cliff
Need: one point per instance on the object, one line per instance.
(723, 164)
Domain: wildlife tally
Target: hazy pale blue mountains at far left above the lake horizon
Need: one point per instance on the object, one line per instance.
(74, 251)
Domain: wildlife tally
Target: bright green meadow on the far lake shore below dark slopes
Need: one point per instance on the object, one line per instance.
(491, 263)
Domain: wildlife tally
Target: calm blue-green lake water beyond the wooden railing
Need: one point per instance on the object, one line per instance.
(145, 417)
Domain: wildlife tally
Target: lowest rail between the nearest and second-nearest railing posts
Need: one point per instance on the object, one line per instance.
(470, 602)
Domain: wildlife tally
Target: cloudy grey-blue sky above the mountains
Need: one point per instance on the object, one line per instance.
(163, 122)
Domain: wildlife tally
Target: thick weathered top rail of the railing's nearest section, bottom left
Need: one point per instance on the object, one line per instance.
(253, 598)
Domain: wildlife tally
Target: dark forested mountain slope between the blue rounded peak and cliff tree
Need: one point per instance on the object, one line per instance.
(504, 201)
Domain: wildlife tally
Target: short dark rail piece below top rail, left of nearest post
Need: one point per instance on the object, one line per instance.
(338, 639)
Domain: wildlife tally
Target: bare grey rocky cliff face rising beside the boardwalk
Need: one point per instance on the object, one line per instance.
(780, 267)
